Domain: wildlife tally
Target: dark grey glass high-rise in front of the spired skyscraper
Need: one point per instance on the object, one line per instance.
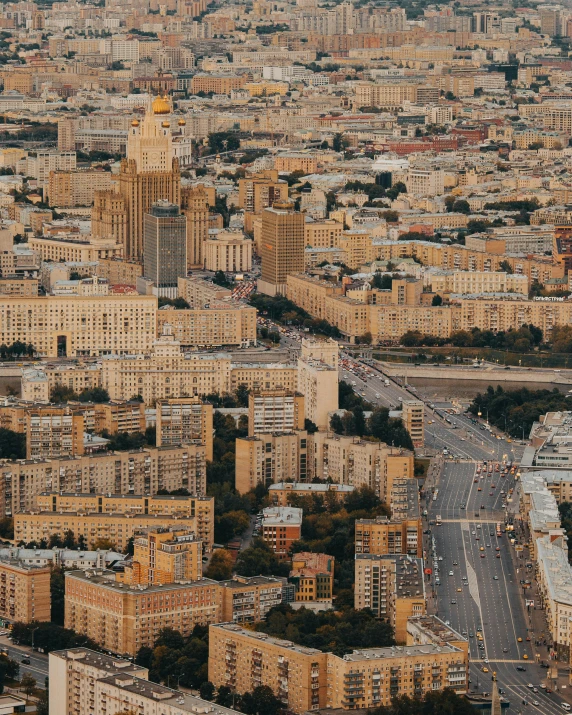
(165, 247)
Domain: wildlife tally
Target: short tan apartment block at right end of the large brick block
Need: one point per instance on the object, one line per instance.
(247, 599)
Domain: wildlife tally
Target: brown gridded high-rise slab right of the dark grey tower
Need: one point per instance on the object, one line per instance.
(282, 249)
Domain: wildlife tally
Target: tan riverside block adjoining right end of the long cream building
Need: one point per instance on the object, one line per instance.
(219, 324)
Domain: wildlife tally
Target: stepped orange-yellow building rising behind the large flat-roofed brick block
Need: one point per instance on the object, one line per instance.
(164, 556)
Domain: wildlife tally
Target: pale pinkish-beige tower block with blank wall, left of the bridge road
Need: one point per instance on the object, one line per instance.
(318, 382)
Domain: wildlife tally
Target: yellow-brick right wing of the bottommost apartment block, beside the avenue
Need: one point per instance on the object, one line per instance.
(371, 678)
